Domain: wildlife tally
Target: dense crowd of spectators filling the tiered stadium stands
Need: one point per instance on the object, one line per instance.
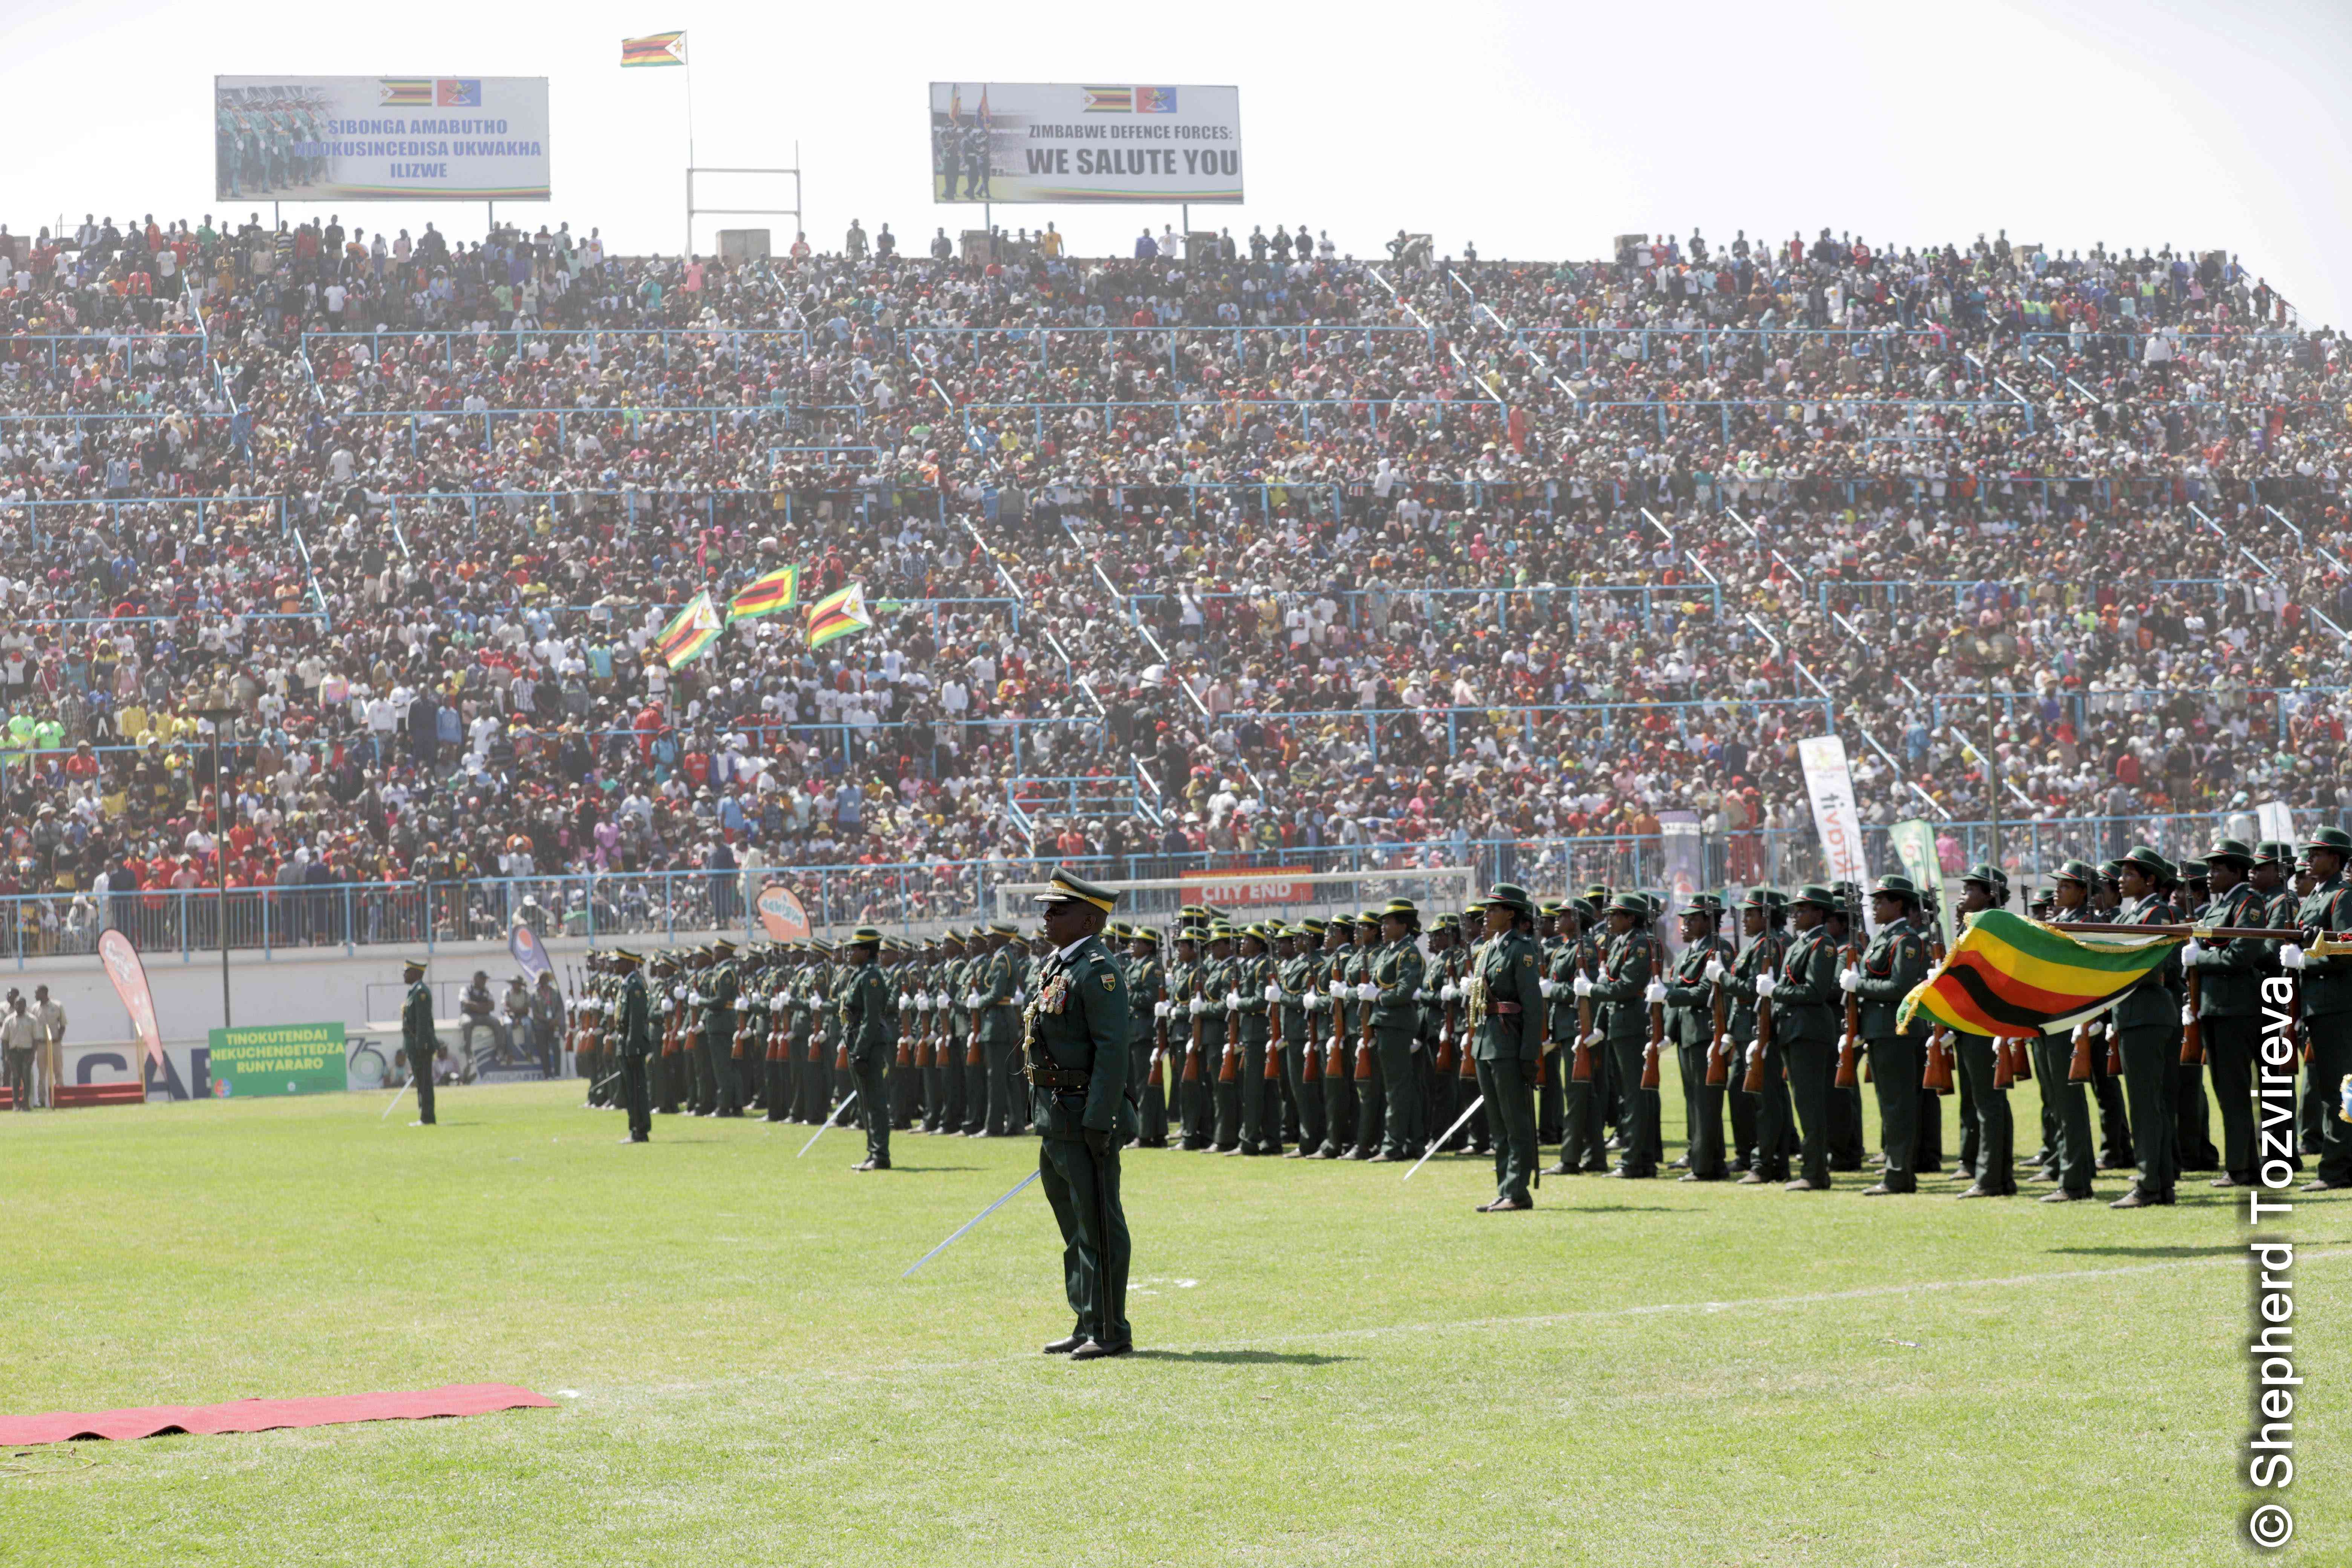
(1168, 556)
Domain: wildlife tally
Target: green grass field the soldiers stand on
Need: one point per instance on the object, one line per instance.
(1342, 1367)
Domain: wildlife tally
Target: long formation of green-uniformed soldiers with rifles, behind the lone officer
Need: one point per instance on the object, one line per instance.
(1349, 1038)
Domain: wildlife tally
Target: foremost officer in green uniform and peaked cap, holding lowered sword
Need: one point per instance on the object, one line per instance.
(1076, 1043)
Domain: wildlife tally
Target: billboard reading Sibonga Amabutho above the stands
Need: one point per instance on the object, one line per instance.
(380, 138)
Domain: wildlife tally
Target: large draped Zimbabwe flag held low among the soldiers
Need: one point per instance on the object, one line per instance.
(2017, 977)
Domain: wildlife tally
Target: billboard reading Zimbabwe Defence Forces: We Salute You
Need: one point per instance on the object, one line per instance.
(1067, 142)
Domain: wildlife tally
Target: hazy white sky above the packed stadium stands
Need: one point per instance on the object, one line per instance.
(1535, 130)
